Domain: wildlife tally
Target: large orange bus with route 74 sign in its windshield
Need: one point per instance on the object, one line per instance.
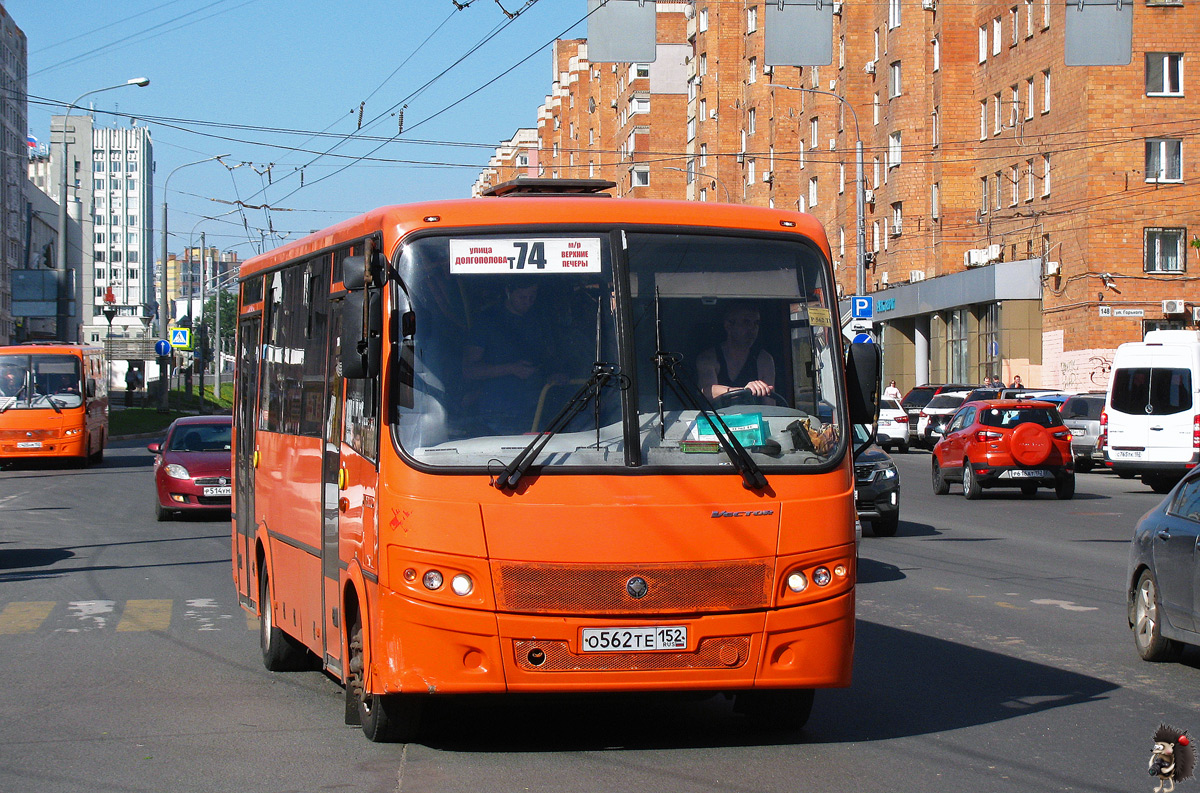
(483, 447)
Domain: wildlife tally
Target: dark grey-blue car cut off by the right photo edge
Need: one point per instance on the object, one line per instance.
(1163, 610)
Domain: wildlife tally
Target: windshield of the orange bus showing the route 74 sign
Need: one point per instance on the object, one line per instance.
(500, 347)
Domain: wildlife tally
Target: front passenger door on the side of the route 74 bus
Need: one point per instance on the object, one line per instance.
(332, 467)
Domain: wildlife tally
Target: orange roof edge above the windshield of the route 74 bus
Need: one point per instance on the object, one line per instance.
(476, 213)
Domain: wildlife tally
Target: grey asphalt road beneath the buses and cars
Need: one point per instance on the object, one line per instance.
(992, 654)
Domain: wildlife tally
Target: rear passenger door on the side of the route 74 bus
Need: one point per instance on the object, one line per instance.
(247, 422)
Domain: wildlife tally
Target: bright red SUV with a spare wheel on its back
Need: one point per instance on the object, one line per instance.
(1005, 443)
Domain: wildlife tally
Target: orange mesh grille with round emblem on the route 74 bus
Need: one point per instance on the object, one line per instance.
(605, 590)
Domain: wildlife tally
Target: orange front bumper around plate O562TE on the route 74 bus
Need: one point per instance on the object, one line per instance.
(803, 647)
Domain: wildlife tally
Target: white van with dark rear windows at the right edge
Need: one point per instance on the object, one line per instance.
(1153, 408)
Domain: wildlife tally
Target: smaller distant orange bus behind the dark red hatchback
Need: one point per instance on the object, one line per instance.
(53, 402)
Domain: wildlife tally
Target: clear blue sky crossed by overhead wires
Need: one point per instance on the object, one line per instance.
(303, 67)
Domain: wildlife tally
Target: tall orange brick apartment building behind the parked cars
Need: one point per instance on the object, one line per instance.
(1023, 217)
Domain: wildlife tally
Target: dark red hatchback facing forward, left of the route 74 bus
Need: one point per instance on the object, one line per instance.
(193, 467)
